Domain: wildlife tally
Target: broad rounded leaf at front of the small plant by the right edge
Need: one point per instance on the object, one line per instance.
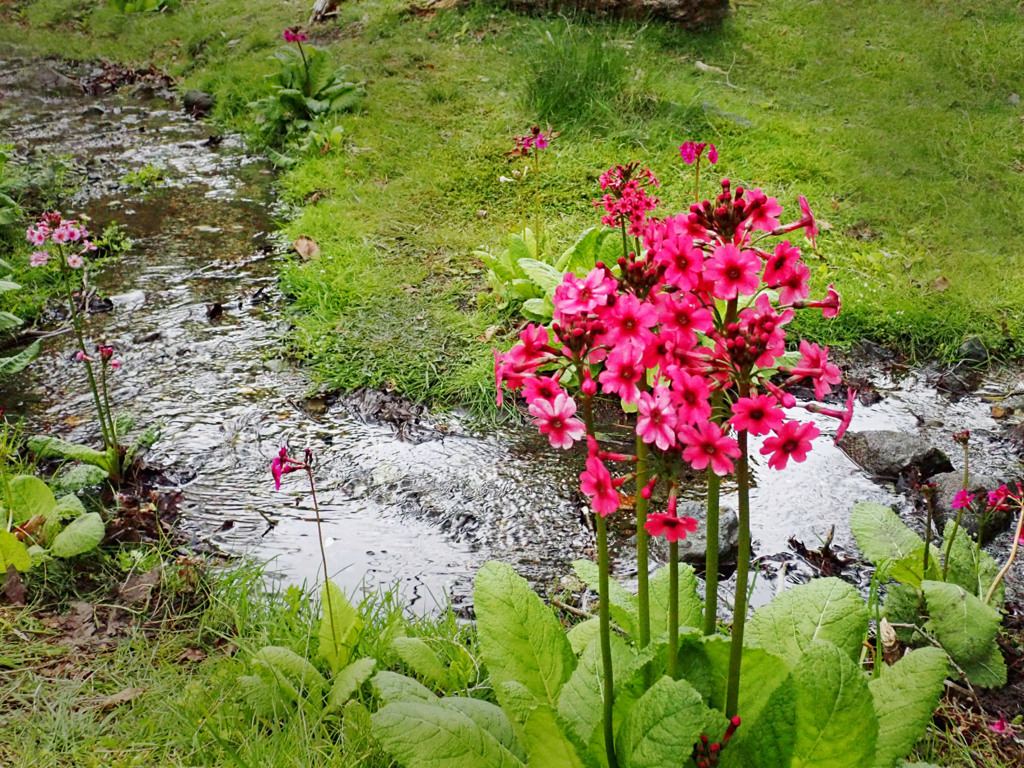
(964, 625)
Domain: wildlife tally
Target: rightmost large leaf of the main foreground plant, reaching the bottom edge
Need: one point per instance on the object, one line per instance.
(906, 697)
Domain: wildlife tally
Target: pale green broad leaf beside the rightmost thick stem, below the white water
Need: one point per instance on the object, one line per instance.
(822, 610)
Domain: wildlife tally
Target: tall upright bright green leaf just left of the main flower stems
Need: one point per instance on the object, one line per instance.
(522, 641)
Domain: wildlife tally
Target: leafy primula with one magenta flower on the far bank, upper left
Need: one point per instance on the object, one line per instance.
(308, 89)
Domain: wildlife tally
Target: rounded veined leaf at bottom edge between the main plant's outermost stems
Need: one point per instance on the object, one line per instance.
(664, 727)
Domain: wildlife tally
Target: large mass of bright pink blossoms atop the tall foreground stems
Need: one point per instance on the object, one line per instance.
(701, 310)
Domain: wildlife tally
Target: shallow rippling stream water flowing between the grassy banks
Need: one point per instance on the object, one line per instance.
(200, 327)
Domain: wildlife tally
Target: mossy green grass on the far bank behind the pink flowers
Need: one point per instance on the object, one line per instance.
(895, 121)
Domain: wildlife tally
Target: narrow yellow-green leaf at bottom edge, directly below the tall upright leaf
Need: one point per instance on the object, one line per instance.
(543, 735)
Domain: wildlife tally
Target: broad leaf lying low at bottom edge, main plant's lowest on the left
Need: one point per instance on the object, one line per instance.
(424, 735)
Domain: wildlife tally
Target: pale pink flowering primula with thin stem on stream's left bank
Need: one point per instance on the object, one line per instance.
(65, 246)
